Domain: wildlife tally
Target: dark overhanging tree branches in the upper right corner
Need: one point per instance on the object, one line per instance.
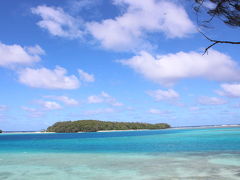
(227, 11)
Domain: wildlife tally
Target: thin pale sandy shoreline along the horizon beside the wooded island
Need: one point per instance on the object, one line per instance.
(183, 127)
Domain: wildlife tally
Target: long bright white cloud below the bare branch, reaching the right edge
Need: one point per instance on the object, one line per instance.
(169, 68)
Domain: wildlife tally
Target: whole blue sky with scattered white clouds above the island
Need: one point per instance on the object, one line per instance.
(115, 60)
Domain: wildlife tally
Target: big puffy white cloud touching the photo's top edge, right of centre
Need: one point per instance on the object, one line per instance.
(127, 31)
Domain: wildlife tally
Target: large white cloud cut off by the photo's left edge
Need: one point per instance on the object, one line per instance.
(11, 55)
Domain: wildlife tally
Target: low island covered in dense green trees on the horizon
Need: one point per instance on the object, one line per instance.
(95, 125)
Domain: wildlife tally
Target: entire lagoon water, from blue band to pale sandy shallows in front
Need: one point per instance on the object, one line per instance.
(204, 154)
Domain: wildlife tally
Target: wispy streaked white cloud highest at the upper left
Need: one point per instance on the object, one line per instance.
(57, 22)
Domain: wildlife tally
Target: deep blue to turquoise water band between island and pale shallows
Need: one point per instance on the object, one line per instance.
(148, 141)
